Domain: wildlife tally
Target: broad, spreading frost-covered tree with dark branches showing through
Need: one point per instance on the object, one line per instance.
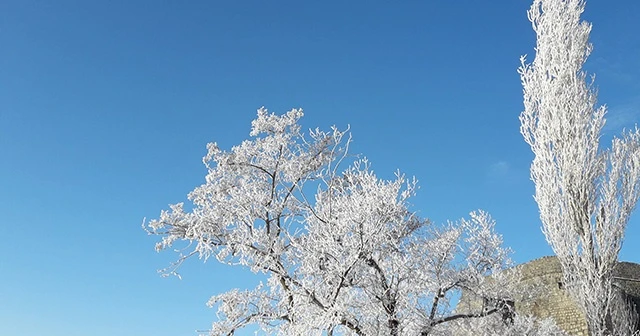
(341, 250)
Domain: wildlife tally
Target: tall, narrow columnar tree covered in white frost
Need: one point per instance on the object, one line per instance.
(585, 193)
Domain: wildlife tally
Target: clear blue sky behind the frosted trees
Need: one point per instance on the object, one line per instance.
(106, 108)
